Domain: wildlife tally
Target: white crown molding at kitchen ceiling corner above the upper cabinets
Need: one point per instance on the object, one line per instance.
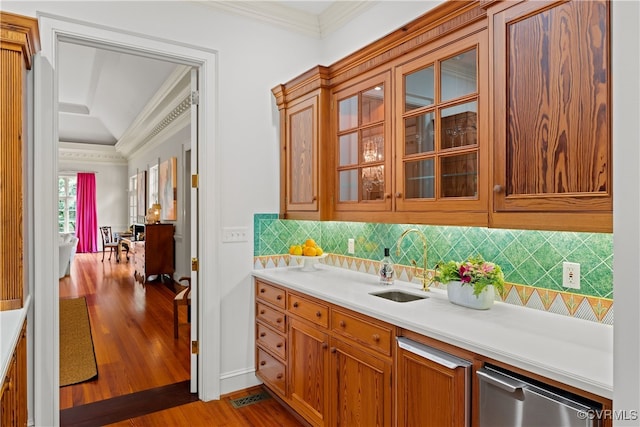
(278, 14)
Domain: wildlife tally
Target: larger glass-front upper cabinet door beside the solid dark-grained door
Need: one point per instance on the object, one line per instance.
(439, 145)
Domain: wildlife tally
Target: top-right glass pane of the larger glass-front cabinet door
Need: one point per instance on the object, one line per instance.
(458, 76)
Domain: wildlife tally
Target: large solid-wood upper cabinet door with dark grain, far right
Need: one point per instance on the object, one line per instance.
(551, 115)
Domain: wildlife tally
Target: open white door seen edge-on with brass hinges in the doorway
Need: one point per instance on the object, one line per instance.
(194, 230)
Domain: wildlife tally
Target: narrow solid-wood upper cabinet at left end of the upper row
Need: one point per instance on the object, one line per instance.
(304, 188)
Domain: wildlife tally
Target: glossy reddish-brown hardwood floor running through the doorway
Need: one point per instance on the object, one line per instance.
(137, 355)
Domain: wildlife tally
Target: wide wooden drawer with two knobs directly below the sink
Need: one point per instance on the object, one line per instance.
(374, 336)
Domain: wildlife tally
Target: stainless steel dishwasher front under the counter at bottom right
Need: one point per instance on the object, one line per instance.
(510, 400)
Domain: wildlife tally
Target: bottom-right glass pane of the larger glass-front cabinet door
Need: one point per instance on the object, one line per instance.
(459, 175)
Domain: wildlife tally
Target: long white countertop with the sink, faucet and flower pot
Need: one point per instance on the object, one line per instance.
(572, 351)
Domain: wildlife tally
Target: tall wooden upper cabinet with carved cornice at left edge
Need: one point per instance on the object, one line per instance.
(19, 41)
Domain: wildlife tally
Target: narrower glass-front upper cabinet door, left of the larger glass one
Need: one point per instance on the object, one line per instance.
(363, 151)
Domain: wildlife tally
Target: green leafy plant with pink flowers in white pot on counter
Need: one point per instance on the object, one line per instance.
(475, 272)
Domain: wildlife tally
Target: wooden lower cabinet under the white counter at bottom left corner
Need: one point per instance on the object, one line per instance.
(13, 392)
